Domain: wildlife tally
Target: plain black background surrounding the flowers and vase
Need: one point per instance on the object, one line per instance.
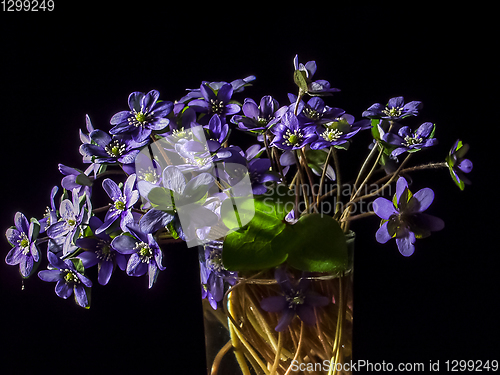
(80, 59)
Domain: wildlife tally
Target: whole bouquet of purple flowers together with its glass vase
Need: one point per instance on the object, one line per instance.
(271, 221)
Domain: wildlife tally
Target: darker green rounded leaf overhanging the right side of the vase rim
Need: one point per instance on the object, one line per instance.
(316, 243)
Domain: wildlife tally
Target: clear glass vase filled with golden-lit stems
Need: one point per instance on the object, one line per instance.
(240, 336)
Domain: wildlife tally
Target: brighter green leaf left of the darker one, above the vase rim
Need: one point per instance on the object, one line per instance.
(256, 246)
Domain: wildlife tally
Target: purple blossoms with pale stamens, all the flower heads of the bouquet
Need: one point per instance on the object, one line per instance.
(174, 168)
